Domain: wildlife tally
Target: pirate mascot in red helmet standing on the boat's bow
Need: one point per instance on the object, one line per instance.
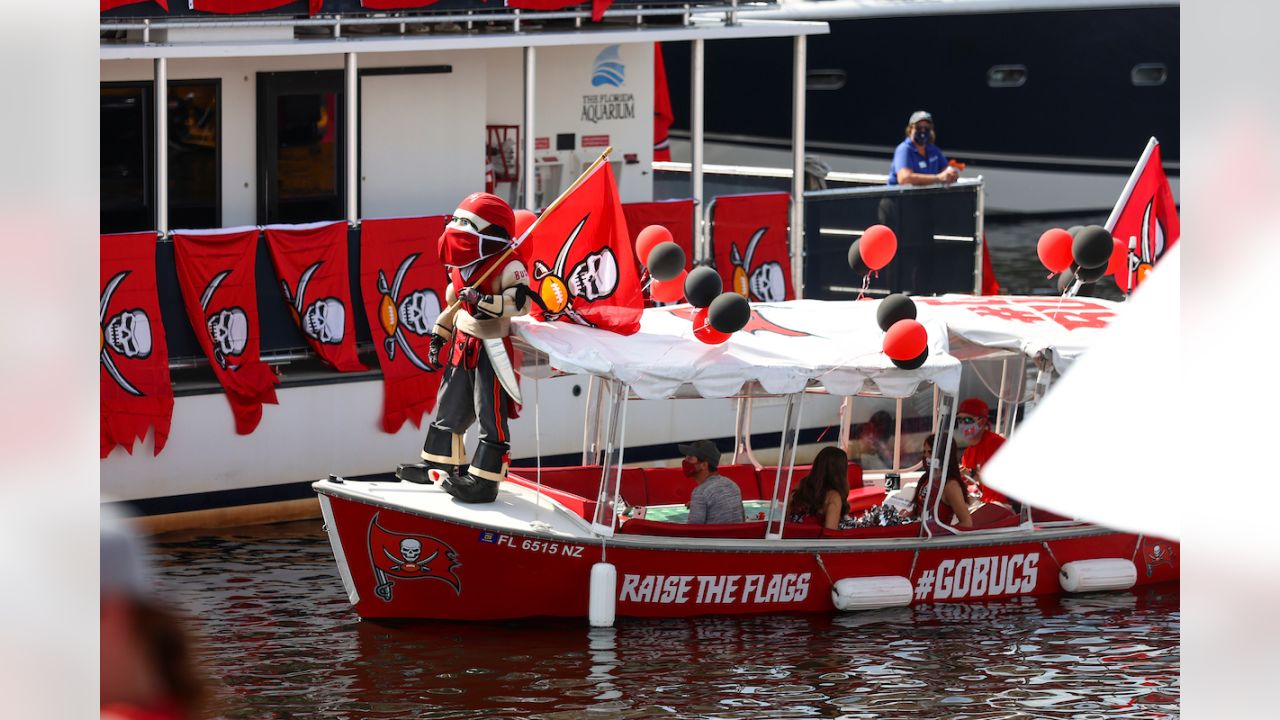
(470, 340)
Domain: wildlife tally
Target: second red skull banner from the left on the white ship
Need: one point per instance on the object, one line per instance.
(216, 274)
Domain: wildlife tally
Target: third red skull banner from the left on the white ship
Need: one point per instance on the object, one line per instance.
(312, 266)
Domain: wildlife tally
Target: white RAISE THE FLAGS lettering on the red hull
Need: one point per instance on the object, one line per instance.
(716, 590)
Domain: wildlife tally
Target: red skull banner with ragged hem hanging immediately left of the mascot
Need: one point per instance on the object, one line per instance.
(404, 281)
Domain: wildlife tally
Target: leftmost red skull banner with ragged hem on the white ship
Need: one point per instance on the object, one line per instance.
(136, 393)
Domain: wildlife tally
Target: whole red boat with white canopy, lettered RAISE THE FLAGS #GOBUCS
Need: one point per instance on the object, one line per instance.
(600, 540)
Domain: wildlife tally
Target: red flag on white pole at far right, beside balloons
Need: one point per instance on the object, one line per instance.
(1148, 212)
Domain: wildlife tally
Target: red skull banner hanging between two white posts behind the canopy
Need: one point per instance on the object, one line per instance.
(749, 243)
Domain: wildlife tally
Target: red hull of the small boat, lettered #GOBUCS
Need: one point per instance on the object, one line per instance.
(493, 573)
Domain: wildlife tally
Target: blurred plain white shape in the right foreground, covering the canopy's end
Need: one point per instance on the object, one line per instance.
(1104, 444)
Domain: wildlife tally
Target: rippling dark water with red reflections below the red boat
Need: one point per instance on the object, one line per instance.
(282, 642)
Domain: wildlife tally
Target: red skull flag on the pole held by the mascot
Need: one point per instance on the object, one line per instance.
(582, 259)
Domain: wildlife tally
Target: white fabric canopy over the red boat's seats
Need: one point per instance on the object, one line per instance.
(790, 347)
